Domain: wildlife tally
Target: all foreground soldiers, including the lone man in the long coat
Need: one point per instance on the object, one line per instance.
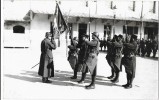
(83, 57)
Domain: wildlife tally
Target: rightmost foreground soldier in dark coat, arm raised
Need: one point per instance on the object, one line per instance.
(129, 60)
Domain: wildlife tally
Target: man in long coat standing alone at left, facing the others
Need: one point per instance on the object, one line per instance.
(46, 68)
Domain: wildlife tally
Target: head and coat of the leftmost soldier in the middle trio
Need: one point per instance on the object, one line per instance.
(72, 54)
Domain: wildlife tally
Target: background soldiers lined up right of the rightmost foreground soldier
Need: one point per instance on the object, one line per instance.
(146, 47)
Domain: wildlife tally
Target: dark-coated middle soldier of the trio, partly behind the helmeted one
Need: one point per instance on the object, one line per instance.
(80, 66)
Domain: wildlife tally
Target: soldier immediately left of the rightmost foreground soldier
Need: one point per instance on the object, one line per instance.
(116, 58)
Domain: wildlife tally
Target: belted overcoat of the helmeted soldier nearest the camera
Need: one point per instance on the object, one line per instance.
(92, 56)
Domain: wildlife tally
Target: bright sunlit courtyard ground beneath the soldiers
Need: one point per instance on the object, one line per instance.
(20, 82)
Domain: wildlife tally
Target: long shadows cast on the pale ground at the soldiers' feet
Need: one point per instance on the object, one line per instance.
(61, 78)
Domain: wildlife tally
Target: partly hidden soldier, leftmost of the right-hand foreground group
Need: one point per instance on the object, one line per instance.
(109, 56)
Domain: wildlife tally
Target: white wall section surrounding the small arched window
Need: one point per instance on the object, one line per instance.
(11, 39)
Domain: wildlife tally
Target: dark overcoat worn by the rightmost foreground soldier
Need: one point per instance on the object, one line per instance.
(129, 59)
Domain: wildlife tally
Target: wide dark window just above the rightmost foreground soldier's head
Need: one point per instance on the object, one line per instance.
(130, 30)
